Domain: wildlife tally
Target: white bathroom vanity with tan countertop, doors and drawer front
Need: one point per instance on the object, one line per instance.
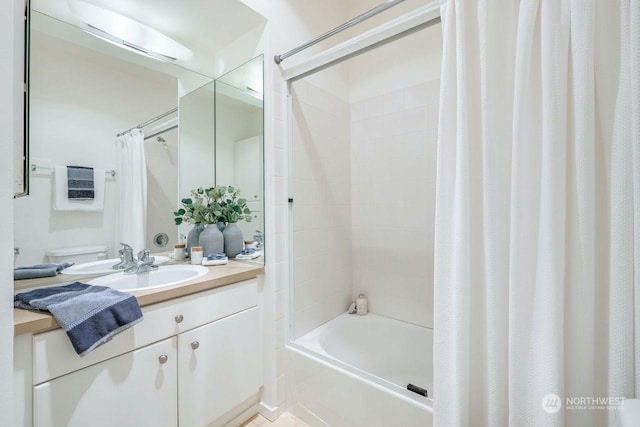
(193, 361)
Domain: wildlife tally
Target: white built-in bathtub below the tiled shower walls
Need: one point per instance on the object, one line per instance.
(354, 370)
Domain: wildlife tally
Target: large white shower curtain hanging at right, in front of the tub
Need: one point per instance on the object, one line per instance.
(537, 244)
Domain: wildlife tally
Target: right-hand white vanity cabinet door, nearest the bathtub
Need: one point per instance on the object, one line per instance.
(218, 368)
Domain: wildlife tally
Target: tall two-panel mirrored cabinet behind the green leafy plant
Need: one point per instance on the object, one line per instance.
(230, 112)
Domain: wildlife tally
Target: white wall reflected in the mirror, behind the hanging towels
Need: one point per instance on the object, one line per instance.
(80, 100)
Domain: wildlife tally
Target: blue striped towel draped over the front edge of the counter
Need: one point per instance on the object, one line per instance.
(91, 315)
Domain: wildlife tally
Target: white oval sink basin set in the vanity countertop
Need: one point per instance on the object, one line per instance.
(161, 277)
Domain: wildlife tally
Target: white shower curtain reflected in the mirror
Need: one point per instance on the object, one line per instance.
(132, 189)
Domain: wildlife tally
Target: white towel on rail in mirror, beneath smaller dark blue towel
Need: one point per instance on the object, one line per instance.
(61, 200)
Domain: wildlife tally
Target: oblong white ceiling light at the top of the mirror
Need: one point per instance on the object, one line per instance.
(126, 32)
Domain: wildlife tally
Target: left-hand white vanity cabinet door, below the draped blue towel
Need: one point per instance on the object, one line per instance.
(134, 389)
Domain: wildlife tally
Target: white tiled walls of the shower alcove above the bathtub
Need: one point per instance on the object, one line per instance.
(364, 186)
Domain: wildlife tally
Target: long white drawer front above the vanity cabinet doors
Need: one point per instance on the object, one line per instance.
(53, 354)
